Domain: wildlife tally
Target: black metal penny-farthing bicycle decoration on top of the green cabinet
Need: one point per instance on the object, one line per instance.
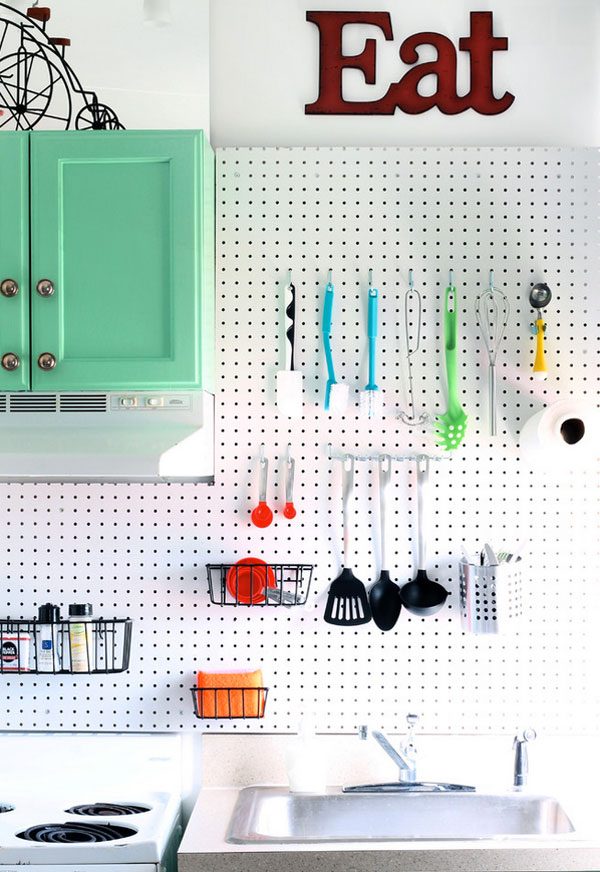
(38, 87)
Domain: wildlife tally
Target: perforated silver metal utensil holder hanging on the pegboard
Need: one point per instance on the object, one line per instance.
(490, 597)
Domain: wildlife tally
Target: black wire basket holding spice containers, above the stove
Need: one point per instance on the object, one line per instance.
(65, 647)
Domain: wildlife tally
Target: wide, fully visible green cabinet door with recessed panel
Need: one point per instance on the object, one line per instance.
(117, 225)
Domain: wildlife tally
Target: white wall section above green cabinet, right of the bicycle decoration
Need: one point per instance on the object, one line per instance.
(154, 77)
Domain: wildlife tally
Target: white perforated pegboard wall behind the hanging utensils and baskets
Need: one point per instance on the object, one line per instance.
(141, 550)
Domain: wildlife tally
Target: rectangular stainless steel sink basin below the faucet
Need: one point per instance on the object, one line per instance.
(273, 815)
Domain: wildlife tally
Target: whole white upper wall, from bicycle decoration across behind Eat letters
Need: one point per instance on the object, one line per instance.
(264, 68)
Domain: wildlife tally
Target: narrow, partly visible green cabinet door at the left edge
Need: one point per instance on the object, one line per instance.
(14, 257)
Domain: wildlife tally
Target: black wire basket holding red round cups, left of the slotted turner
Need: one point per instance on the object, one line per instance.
(253, 582)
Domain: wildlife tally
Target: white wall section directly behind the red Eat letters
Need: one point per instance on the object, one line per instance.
(264, 68)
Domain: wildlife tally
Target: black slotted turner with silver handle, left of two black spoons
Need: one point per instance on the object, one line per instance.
(347, 601)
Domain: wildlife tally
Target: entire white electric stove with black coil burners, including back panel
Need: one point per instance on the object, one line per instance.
(44, 776)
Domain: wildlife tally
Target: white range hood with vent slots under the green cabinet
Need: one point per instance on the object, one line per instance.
(143, 436)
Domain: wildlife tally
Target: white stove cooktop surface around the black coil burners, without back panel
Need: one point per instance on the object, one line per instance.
(147, 844)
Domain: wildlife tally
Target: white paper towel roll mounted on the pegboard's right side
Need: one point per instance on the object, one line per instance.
(566, 432)
